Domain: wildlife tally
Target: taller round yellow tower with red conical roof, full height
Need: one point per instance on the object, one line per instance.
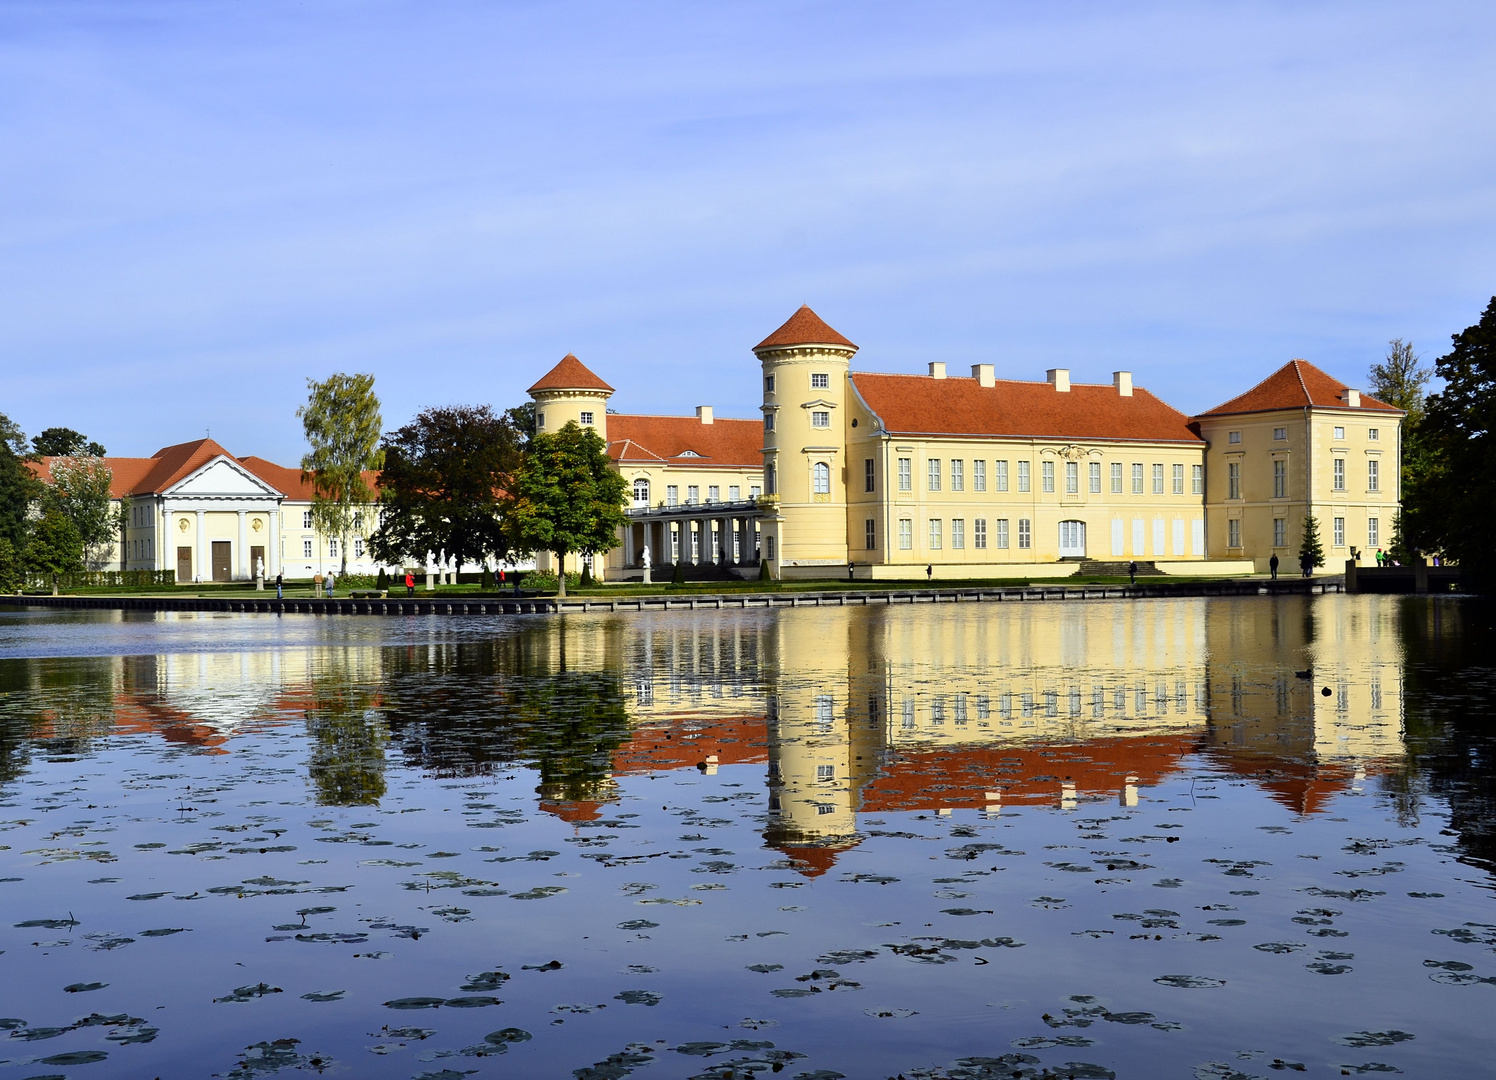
(806, 366)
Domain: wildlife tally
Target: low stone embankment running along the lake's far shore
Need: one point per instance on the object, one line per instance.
(692, 602)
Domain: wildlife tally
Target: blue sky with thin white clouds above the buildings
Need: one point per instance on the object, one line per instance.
(206, 204)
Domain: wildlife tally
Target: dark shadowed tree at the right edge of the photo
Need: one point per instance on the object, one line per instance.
(1461, 430)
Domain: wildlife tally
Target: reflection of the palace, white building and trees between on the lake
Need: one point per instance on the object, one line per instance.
(849, 711)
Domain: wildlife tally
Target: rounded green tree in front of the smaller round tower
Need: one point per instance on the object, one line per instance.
(568, 497)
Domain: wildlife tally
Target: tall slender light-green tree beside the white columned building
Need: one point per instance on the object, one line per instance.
(343, 426)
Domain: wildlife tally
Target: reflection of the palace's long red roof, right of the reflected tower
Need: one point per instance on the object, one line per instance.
(961, 779)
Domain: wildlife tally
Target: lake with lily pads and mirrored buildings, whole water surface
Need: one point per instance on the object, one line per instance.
(1175, 838)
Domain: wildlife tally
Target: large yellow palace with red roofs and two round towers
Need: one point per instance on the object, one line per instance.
(895, 476)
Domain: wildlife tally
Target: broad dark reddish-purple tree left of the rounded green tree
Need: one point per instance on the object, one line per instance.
(442, 487)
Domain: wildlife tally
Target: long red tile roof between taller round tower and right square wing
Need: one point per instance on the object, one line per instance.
(927, 406)
